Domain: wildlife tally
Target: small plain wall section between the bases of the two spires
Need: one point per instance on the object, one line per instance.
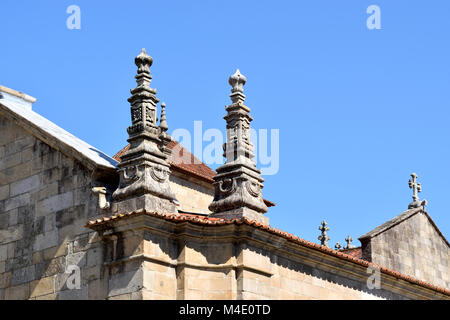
(194, 195)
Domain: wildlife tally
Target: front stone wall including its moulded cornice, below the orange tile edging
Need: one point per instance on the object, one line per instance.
(158, 259)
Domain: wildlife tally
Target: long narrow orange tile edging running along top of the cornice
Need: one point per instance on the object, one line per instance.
(209, 221)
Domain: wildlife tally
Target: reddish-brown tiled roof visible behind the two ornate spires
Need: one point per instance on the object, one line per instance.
(184, 161)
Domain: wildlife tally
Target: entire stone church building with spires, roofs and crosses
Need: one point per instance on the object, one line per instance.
(78, 224)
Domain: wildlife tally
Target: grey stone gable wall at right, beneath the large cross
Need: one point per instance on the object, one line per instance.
(412, 247)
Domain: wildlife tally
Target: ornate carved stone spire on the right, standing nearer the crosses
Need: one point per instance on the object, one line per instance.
(238, 183)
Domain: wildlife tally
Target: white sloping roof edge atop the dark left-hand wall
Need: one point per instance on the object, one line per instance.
(55, 136)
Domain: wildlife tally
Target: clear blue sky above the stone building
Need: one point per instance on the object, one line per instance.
(358, 110)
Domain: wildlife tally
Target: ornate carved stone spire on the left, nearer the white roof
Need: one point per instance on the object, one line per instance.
(144, 170)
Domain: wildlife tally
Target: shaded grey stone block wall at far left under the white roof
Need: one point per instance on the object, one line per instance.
(45, 200)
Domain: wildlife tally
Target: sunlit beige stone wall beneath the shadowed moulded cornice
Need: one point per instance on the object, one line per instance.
(217, 269)
